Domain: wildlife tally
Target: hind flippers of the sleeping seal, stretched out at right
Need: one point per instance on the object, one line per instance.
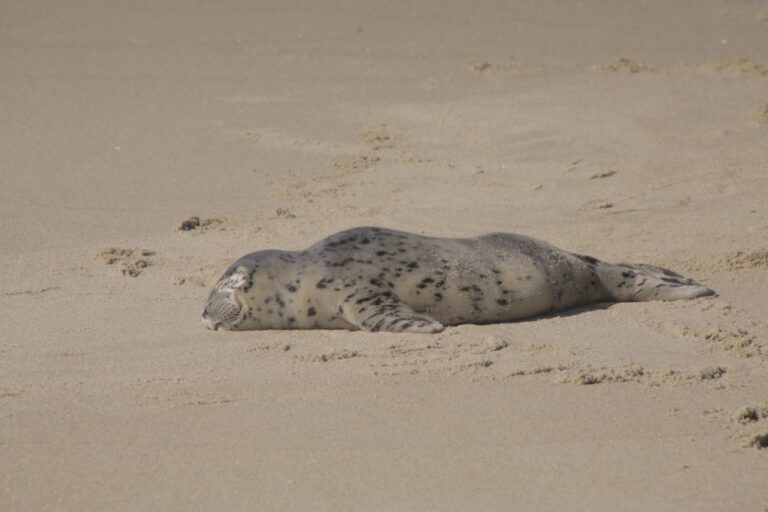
(636, 282)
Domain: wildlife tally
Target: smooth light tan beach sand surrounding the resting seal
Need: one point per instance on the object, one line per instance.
(627, 130)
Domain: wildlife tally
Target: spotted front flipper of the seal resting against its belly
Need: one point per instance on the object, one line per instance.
(375, 310)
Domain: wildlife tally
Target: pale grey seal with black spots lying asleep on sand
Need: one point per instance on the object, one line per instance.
(377, 279)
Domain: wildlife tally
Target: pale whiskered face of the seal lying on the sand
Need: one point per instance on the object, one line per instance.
(223, 309)
